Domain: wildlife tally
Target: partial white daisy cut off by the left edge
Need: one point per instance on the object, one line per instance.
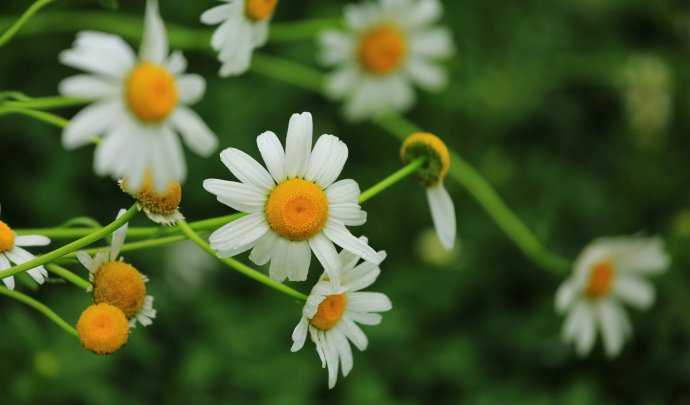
(11, 251)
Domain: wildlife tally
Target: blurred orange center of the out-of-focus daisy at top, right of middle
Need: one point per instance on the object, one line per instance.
(382, 49)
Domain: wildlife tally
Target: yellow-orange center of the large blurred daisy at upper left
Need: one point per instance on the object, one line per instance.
(151, 92)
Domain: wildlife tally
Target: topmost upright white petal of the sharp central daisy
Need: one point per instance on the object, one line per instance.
(298, 144)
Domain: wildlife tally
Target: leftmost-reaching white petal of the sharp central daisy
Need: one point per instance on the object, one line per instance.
(239, 196)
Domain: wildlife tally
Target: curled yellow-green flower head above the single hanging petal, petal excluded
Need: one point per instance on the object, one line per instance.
(424, 144)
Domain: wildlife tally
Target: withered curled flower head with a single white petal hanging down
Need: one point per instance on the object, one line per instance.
(431, 175)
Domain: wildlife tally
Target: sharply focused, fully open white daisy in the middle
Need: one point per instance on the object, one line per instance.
(295, 207)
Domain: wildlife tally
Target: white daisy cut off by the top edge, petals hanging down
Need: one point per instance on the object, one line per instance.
(243, 28)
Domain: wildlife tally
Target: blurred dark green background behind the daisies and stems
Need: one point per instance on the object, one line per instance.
(577, 111)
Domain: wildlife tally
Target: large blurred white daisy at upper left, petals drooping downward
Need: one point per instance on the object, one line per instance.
(140, 103)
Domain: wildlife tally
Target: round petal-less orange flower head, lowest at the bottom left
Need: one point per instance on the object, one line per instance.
(103, 328)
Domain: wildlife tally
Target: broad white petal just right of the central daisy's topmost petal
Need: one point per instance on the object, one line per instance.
(327, 160)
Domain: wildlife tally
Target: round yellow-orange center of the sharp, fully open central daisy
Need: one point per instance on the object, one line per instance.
(297, 209)
